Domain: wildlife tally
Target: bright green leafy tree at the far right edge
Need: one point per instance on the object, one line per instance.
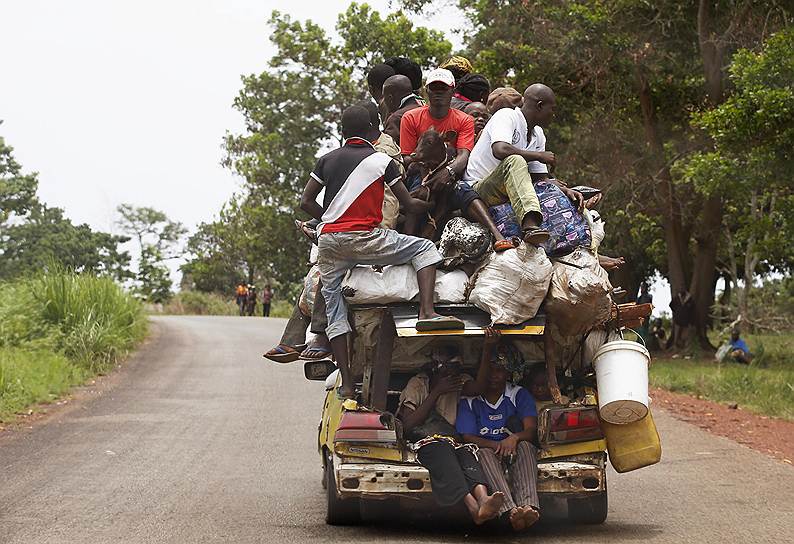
(752, 161)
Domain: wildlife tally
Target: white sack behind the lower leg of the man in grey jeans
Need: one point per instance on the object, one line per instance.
(398, 283)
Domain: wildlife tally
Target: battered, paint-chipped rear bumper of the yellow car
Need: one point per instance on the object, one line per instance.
(382, 480)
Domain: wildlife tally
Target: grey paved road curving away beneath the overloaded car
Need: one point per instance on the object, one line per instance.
(201, 440)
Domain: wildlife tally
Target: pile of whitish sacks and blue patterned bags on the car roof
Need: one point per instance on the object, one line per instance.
(511, 285)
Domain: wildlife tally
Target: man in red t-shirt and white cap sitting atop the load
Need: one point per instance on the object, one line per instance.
(457, 130)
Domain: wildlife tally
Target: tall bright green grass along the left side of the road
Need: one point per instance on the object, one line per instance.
(56, 330)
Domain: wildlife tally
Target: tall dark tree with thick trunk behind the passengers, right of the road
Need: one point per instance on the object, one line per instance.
(628, 74)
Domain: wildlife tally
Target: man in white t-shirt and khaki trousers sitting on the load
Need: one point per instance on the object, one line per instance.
(511, 154)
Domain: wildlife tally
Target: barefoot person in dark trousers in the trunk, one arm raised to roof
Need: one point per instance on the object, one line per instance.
(428, 407)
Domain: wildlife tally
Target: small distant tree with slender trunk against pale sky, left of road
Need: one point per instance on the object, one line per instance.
(158, 240)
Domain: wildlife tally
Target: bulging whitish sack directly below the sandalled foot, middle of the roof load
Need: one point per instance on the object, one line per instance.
(511, 285)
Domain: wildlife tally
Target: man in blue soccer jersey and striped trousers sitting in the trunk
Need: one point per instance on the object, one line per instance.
(503, 422)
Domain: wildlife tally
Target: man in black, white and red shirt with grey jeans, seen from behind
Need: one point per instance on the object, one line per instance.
(353, 177)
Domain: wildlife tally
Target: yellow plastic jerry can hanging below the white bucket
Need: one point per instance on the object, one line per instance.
(633, 445)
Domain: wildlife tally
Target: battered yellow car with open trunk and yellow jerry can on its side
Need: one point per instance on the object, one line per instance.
(366, 459)
